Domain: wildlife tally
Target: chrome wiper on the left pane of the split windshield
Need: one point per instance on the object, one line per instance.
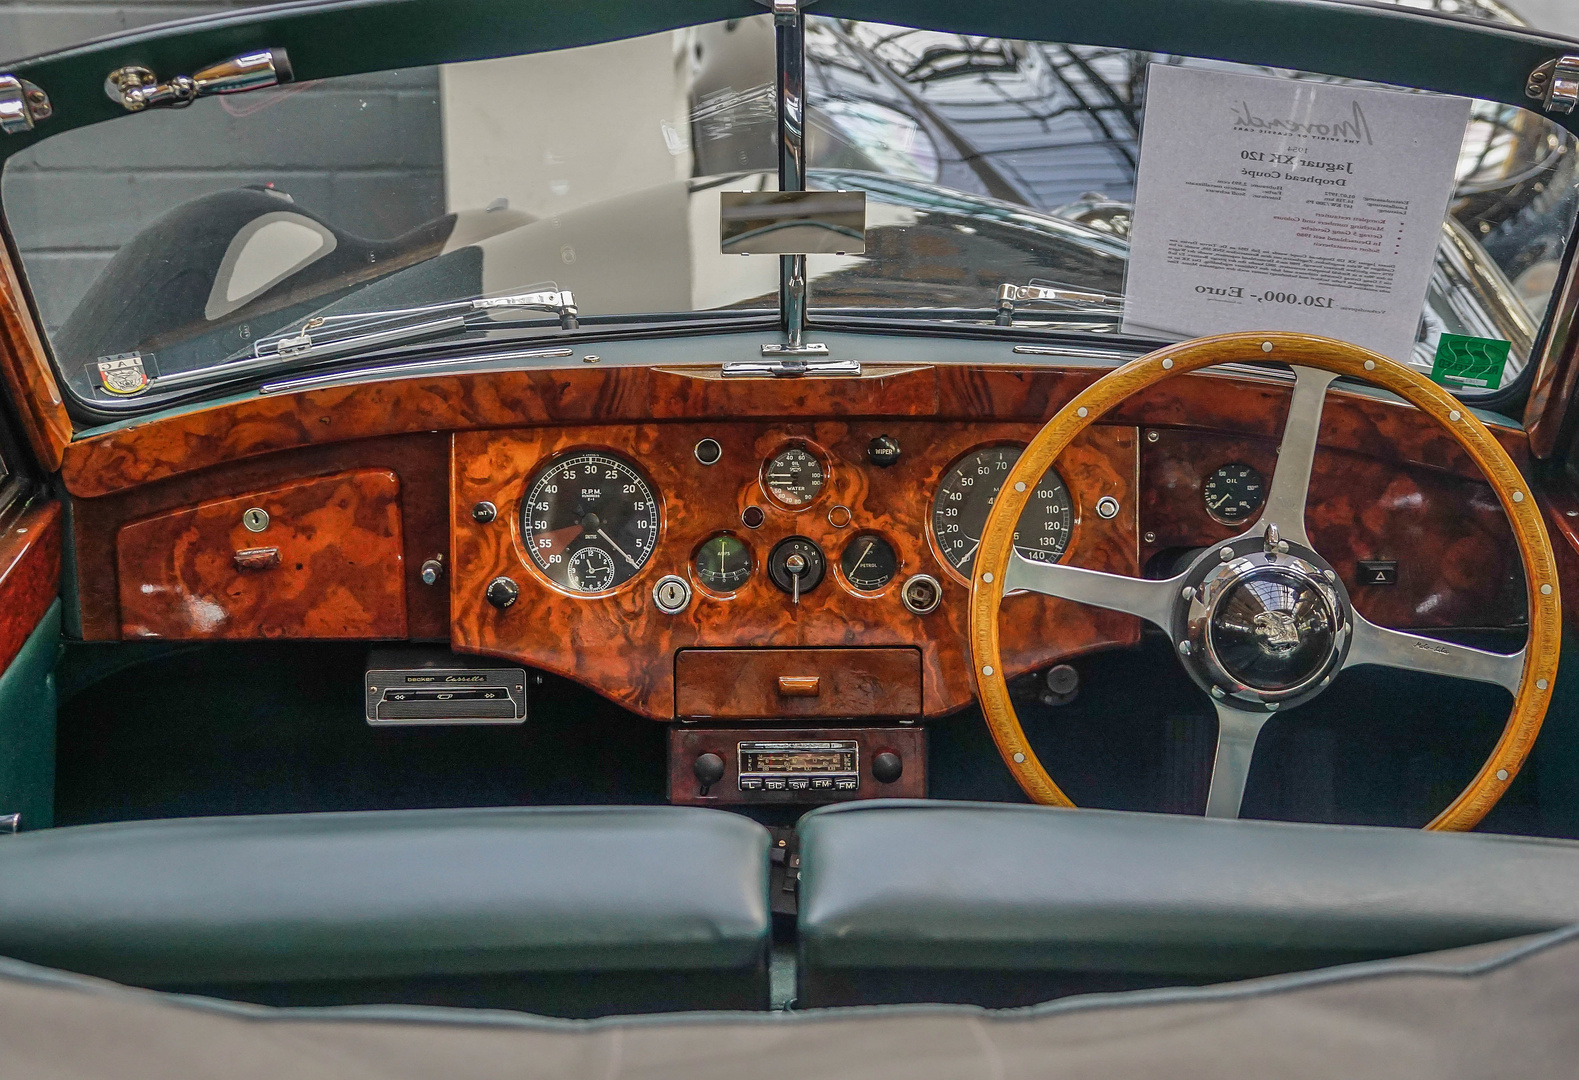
(356, 332)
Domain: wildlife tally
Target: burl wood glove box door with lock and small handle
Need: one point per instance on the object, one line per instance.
(326, 563)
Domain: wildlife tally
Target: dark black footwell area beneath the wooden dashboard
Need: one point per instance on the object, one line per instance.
(274, 729)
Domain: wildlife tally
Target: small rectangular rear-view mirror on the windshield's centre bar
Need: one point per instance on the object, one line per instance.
(793, 222)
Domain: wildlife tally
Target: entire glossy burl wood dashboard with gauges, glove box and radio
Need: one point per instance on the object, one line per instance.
(741, 555)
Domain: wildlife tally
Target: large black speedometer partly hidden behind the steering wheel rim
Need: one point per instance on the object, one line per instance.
(966, 497)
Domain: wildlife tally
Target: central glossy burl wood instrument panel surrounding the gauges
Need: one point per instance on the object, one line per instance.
(624, 647)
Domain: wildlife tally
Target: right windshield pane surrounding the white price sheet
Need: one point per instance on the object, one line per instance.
(1016, 163)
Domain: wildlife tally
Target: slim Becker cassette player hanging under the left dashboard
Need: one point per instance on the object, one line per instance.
(446, 696)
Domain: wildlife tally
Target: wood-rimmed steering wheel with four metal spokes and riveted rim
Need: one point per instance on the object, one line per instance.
(1262, 623)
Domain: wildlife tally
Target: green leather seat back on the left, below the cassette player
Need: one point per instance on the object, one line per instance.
(560, 910)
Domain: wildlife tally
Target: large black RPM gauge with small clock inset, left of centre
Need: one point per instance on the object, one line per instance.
(590, 522)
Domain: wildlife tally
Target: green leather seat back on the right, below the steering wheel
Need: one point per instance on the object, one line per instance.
(1008, 906)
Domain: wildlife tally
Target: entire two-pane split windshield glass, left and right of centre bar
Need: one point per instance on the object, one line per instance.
(283, 228)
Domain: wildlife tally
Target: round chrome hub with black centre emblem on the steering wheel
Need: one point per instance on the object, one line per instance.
(1311, 640)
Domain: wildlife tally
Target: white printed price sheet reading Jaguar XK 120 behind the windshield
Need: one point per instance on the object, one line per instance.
(1289, 204)
